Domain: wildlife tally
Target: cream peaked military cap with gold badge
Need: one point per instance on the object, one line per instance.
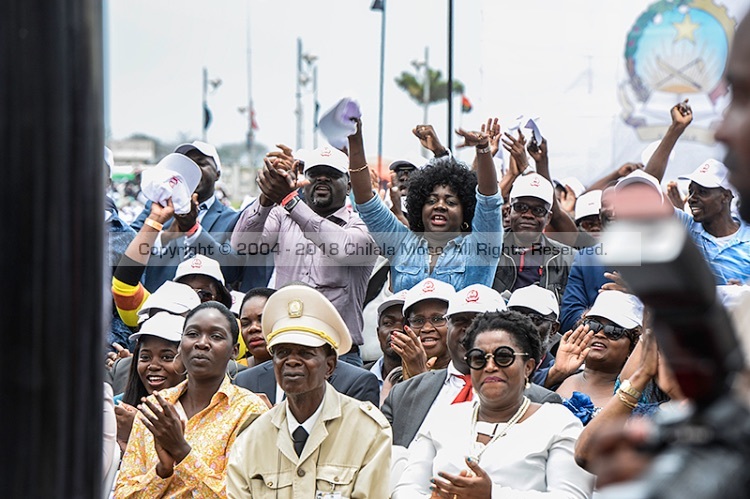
(301, 315)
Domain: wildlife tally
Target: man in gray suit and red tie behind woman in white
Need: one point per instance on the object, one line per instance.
(409, 402)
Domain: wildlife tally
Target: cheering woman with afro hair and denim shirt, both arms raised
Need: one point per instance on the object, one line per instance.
(455, 233)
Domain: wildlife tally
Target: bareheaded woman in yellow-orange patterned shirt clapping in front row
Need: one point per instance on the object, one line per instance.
(181, 439)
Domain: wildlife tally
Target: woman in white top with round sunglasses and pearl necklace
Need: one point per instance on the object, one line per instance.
(499, 445)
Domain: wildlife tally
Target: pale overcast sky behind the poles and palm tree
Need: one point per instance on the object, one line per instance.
(560, 61)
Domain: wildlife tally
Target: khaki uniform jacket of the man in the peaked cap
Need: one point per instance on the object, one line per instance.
(347, 452)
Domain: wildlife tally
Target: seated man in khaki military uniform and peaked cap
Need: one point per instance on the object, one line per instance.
(326, 445)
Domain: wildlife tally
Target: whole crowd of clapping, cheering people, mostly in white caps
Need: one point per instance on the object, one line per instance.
(242, 357)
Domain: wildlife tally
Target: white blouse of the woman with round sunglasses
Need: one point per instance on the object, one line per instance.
(534, 459)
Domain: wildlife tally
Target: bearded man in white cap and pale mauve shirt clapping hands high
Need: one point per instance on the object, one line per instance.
(317, 240)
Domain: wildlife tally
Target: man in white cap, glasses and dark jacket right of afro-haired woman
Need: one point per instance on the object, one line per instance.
(530, 257)
